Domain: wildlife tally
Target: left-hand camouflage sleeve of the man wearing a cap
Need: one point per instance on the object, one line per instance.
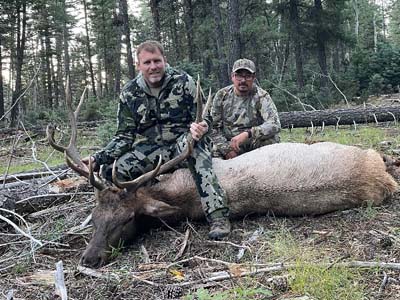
(219, 140)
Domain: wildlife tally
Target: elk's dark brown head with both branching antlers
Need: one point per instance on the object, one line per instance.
(119, 204)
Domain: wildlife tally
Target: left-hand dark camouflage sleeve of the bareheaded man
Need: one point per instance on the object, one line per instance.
(122, 140)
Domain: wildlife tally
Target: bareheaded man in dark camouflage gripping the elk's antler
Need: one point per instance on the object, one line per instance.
(156, 111)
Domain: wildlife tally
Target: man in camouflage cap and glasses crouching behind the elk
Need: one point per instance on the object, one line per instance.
(244, 117)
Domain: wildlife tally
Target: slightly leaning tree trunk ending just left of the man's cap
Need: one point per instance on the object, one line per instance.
(223, 70)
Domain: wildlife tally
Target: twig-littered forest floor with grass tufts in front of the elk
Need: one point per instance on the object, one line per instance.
(265, 257)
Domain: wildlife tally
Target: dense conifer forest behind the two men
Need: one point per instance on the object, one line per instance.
(315, 51)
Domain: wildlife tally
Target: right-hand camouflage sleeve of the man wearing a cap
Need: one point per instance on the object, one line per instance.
(269, 113)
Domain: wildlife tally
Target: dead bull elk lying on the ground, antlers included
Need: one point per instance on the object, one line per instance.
(287, 179)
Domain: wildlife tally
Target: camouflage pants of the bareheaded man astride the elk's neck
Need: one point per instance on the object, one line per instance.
(143, 158)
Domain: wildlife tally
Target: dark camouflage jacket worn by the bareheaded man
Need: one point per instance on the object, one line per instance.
(144, 118)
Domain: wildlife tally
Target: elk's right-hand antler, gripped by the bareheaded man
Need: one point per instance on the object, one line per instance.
(134, 184)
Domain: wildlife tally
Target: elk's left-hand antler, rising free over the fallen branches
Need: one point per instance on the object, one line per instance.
(71, 152)
